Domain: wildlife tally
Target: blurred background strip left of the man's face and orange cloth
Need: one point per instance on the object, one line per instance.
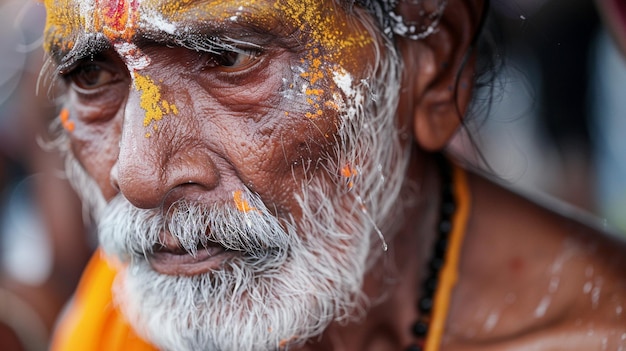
(44, 244)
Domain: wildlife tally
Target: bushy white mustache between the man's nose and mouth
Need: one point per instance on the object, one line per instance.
(127, 231)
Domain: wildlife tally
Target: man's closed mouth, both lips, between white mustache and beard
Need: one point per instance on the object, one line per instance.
(170, 258)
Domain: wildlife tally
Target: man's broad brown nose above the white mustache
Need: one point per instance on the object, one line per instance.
(162, 163)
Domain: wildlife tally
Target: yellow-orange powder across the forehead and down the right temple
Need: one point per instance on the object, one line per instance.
(332, 39)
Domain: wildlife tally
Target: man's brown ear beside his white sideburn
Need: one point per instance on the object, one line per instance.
(438, 74)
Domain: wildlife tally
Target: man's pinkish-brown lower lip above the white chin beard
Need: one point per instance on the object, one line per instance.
(206, 260)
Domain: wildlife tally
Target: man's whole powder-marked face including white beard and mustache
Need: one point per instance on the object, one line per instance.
(246, 151)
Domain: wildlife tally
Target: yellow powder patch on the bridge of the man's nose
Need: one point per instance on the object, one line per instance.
(151, 100)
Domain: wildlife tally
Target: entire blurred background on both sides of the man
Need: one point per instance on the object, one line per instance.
(555, 125)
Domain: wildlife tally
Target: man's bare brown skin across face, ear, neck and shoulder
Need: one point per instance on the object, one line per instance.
(529, 278)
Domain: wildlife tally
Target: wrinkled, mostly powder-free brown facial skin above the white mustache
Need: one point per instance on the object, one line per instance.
(253, 134)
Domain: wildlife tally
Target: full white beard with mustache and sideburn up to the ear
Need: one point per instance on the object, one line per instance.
(293, 279)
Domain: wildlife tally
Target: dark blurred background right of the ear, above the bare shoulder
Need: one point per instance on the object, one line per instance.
(552, 123)
